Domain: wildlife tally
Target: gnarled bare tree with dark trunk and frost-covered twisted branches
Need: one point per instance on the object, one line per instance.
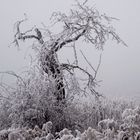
(82, 23)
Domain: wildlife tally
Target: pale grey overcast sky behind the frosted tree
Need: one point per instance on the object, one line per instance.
(120, 68)
